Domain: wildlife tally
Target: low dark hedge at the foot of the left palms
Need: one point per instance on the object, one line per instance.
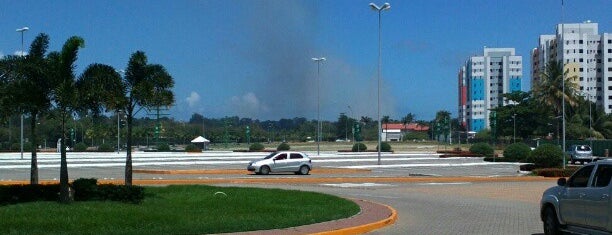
(84, 190)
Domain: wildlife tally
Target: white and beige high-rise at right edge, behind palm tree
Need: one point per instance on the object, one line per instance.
(586, 55)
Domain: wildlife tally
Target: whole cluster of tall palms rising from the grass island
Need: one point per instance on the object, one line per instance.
(43, 85)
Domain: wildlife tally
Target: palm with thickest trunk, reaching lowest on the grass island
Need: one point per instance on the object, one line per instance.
(64, 96)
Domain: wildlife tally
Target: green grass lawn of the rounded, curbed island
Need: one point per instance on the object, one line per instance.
(179, 209)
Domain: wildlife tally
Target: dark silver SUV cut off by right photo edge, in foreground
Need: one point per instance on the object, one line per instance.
(580, 204)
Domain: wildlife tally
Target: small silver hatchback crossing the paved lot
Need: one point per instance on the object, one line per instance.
(285, 161)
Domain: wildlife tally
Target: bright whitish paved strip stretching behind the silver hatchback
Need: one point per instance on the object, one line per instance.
(111, 165)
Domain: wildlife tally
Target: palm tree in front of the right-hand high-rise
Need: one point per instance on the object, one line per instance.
(549, 90)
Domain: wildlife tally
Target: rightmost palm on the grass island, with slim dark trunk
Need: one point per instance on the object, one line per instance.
(146, 86)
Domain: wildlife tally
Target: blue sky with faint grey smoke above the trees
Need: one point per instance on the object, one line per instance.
(253, 58)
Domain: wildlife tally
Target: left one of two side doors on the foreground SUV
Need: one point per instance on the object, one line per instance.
(571, 204)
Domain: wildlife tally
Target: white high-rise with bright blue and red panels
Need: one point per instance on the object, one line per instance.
(482, 82)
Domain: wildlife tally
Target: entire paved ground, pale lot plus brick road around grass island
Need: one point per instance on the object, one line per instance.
(457, 207)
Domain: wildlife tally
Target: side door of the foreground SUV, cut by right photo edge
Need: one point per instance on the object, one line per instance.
(597, 198)
